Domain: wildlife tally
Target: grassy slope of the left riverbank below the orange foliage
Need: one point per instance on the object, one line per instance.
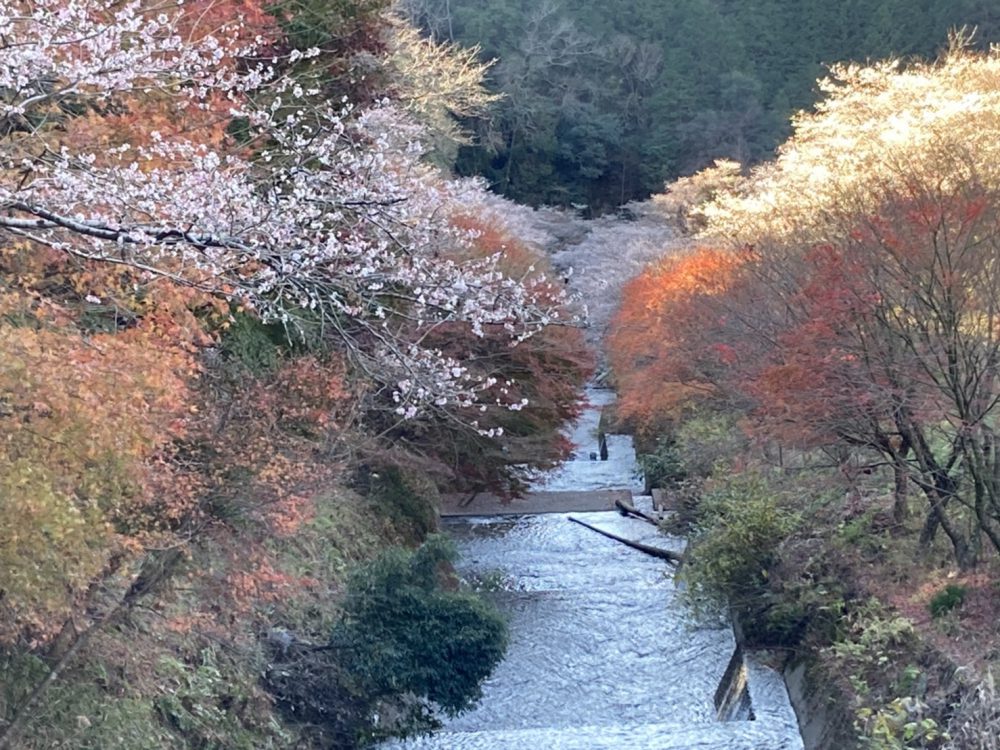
(181, 676)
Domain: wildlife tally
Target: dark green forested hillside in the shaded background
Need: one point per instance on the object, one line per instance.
(603, 102)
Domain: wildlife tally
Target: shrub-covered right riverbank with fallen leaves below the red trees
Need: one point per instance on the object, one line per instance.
(873, 636)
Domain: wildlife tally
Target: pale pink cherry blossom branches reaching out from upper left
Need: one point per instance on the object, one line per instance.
(317, 215)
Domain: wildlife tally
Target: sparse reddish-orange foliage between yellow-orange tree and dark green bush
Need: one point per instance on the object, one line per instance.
(263, 445)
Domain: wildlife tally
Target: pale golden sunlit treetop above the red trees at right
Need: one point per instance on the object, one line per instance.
(880, 127)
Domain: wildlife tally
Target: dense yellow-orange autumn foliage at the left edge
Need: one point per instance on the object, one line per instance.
(87, 420)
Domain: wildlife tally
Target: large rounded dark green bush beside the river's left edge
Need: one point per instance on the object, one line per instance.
(409, 646)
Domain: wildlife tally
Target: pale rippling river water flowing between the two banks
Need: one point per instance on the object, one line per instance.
(602, 653)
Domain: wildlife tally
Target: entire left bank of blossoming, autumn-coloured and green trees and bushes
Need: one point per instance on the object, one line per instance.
(247, 333)
